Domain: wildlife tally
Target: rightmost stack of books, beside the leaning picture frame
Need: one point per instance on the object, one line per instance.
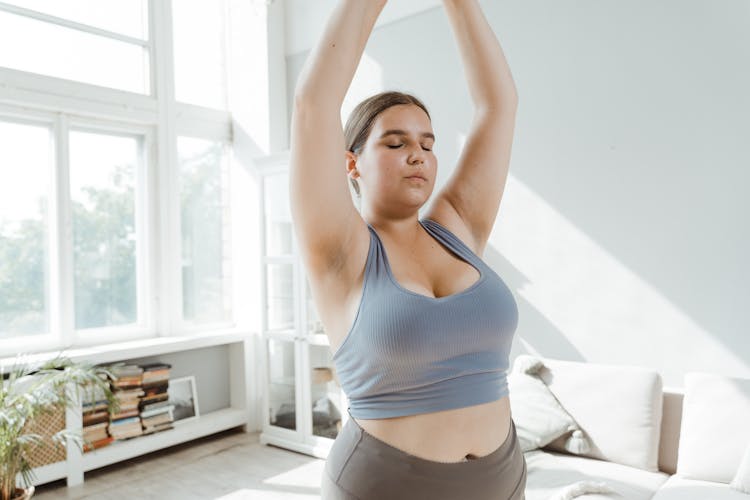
(156, 412)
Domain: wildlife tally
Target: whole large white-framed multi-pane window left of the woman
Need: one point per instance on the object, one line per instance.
(115, 214)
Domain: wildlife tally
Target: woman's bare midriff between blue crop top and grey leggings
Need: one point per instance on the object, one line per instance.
(446, 436)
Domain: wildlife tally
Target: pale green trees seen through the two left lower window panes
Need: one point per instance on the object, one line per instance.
(104, 262)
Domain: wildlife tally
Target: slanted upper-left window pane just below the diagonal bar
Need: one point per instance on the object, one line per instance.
(72, 54)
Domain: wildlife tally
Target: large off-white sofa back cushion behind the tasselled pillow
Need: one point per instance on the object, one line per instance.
(619, 408)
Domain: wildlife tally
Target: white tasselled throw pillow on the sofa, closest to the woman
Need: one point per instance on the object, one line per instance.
(538, 416)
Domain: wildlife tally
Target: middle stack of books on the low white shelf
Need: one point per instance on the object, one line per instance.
(126, 386)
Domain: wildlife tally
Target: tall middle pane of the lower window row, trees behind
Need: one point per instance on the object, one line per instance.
(102, 191)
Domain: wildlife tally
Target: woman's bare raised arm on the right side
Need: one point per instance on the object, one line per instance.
(471, 197)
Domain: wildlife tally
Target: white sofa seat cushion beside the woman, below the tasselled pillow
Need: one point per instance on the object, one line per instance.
(549, 472)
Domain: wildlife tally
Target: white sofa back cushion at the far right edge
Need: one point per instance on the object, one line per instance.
(715, 430)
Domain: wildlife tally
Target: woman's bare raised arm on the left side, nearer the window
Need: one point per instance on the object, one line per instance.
(325, 218)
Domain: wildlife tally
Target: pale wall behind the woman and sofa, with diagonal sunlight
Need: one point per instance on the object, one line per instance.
(623, 230)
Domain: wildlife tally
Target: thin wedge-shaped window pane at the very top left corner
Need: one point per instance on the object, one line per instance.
(127, 17)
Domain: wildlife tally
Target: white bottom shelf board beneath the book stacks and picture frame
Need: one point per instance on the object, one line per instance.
(204, 425)
